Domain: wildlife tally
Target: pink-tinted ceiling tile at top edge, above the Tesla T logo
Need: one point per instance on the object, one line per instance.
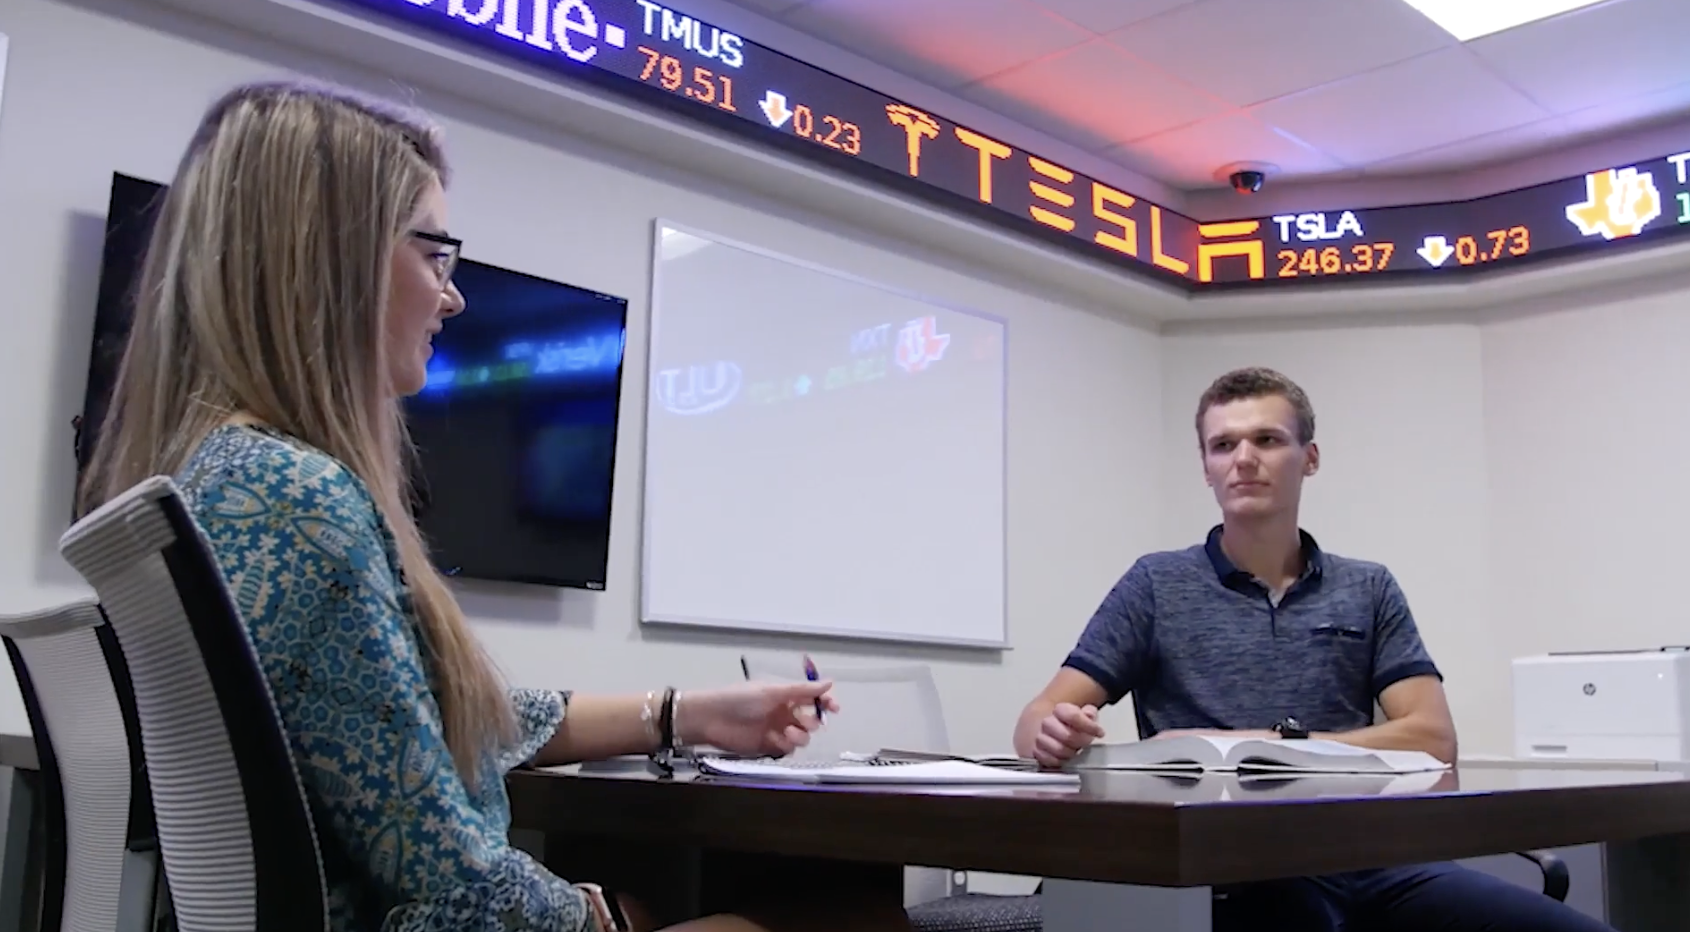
(946, 43)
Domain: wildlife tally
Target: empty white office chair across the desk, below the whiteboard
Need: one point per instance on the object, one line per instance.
(900, 708)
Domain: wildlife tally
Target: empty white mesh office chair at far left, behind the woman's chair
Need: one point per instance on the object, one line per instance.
(101, 858)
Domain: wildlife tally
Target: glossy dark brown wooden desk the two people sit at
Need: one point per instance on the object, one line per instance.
(1116, 828)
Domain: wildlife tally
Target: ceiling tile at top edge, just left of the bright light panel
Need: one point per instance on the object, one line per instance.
(1246, 52)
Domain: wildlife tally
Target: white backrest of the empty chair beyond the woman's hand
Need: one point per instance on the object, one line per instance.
(880, 708)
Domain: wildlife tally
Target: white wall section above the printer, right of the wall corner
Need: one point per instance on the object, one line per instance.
(1589, 452)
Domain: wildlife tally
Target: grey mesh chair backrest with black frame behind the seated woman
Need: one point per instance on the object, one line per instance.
(234, 825)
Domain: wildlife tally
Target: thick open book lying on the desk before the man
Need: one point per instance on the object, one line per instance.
(1204, 752)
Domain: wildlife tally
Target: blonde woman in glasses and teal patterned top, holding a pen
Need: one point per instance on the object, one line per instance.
(298, 270)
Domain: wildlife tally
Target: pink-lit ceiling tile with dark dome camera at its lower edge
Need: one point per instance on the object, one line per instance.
(1189, 156)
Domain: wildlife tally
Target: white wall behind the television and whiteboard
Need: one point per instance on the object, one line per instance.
(89, 94)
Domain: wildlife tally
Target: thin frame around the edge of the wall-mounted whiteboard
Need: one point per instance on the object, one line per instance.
(804, 630)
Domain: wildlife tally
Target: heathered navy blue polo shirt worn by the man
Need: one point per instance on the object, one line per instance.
(1201, 644)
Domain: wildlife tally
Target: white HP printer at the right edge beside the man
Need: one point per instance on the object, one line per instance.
(1605, 706)
